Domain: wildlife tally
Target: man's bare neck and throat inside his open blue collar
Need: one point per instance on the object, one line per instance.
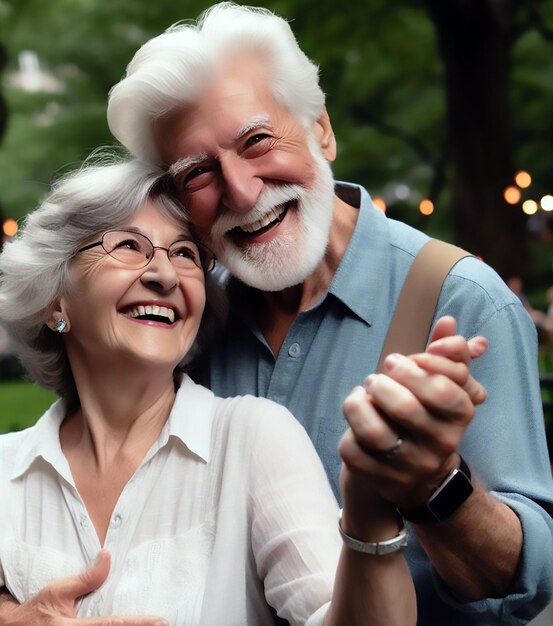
(277, 310)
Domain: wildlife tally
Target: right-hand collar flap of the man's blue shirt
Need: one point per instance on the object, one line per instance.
(356, 283)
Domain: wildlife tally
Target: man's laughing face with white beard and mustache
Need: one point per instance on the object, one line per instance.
(256, 184)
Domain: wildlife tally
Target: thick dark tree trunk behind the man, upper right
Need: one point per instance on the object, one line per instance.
(475, 39)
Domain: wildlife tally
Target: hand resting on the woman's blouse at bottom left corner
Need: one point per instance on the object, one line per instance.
(56, 604)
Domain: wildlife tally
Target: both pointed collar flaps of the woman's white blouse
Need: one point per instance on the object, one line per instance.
(190, 420)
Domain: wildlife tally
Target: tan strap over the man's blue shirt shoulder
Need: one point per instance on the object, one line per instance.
(410, 326)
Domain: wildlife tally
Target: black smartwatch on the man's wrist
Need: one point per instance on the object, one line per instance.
(447, 498)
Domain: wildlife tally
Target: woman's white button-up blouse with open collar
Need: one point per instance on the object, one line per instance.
(230, 509)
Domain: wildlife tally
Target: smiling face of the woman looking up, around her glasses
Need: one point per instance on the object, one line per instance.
(111, 305)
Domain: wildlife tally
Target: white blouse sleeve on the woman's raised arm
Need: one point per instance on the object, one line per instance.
(293, 513)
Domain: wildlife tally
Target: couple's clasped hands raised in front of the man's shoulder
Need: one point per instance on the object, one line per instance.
(428, 401)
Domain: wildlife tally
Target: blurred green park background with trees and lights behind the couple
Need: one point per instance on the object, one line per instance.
(443, 110)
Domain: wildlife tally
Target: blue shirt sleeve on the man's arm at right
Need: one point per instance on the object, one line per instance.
(505, 446)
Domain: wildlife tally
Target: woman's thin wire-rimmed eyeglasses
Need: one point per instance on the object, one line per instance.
(136, 250)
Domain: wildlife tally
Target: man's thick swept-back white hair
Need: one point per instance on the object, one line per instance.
(172, 70)
